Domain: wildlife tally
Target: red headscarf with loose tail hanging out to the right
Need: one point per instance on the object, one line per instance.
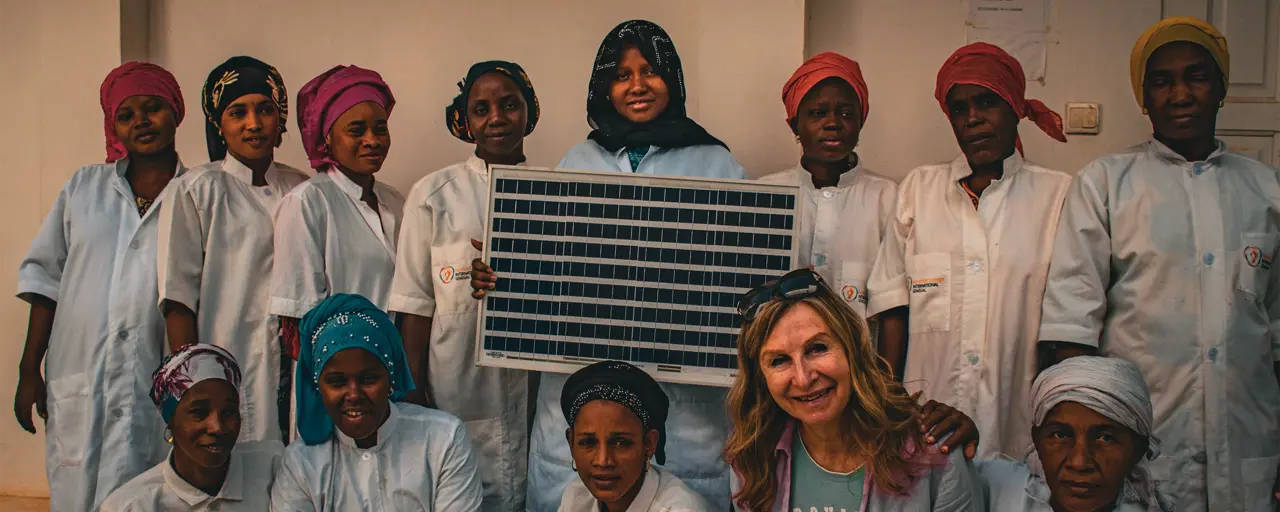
(988, 66)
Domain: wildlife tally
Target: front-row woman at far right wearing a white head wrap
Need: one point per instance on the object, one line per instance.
(1092, 433)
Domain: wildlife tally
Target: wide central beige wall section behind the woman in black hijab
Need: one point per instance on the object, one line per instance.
(737, 56)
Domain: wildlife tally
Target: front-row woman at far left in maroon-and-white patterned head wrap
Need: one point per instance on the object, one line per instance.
(198, 392)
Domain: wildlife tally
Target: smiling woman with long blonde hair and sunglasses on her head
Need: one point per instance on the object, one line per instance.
(819, 420)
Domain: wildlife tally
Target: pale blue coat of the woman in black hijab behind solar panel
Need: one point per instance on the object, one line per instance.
(697, 428)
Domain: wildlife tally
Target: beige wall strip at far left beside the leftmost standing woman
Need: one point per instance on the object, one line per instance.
(54, 66)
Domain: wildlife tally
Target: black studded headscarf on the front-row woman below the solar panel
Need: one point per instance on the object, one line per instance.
(624, 385)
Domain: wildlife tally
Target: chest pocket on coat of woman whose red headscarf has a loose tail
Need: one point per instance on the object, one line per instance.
(930, 290)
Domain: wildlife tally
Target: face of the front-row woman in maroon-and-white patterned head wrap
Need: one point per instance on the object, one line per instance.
(205, 427)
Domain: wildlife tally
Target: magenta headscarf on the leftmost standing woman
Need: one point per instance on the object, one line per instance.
(135, 80)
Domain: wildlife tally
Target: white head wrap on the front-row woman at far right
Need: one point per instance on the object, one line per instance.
(1113, 388)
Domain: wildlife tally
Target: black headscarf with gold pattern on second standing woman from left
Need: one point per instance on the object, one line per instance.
(237, 77)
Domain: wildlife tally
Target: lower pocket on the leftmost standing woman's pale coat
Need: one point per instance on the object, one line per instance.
(68, 419)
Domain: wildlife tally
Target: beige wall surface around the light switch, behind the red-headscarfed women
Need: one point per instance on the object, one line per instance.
(902, 45)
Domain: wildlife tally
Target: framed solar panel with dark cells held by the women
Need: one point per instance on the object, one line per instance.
(638, 268)
